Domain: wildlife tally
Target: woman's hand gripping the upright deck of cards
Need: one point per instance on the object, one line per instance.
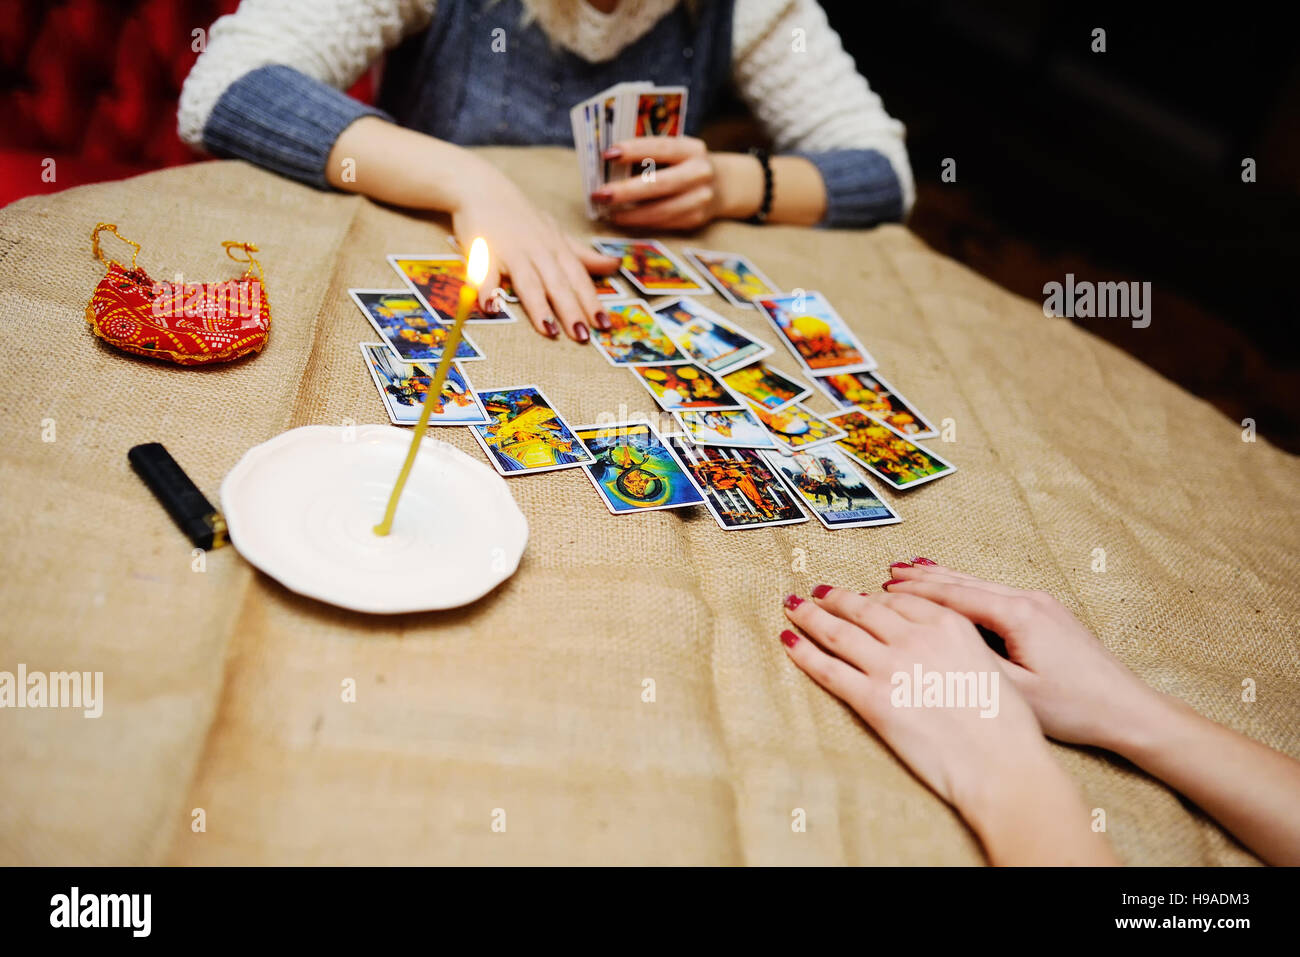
(675, 183)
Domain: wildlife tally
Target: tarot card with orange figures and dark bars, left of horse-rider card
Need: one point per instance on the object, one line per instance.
(740, 490)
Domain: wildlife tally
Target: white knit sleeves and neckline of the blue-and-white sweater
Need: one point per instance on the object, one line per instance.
(788, 66)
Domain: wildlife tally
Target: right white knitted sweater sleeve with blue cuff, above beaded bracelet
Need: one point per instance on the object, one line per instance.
(791, 70)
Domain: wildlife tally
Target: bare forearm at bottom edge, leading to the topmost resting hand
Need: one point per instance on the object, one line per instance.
(1033, 815)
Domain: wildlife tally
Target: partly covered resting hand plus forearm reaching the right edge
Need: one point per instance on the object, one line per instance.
(1082, 694)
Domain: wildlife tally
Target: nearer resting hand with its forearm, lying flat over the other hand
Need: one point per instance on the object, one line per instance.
(986, 757)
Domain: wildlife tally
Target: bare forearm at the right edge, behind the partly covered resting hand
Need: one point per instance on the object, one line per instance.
(1247, 787)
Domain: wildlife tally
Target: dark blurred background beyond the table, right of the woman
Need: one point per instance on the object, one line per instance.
(1117, 166)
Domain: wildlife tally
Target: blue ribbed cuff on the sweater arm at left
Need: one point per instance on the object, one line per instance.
(284, 122)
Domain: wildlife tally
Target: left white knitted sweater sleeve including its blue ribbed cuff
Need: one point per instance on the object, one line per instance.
(268, 86)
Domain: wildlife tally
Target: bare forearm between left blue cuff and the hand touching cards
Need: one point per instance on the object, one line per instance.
(401, 167)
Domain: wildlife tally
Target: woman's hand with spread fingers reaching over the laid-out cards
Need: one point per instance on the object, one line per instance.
(549, 270)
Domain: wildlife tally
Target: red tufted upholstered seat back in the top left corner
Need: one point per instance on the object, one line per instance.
(90, 89)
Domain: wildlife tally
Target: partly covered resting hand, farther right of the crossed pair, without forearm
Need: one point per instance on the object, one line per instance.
(1078, 690)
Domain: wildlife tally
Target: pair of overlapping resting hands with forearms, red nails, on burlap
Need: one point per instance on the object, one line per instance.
(1059, 681)
